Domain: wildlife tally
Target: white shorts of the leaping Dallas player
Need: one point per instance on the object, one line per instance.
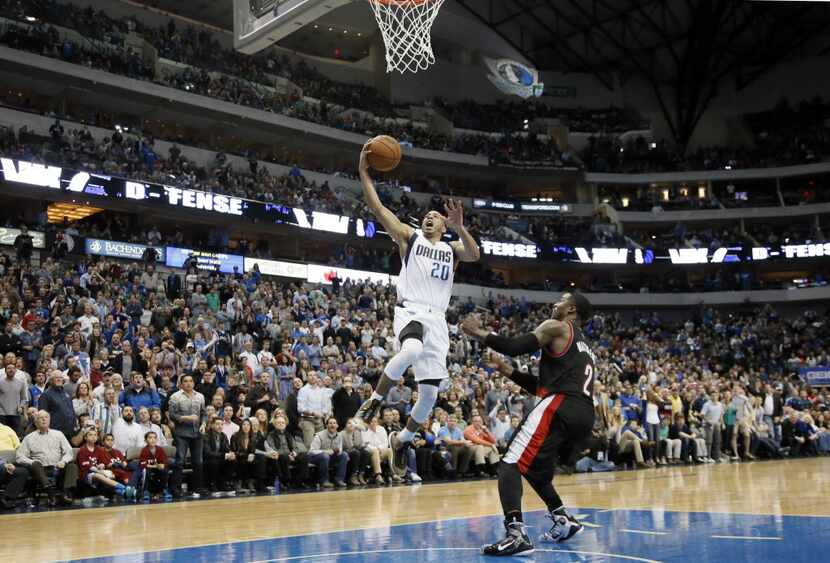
(432, 363)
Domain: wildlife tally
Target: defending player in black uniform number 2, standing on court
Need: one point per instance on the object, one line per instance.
(560, 422)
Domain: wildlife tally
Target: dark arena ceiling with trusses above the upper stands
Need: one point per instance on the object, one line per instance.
(683, 48)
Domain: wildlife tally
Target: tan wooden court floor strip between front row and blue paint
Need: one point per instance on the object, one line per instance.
(791, 487)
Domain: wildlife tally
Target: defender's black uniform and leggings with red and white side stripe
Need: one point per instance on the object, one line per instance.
(556, 427)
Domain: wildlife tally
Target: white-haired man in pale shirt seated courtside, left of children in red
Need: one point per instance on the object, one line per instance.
(47, 452)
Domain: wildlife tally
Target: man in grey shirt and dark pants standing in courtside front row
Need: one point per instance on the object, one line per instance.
(187, 411)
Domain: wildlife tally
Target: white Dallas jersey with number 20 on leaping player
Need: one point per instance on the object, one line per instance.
(427, 272)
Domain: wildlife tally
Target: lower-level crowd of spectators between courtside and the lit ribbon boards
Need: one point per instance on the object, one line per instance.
(254, 384)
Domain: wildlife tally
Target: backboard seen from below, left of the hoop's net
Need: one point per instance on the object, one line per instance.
(260, 23)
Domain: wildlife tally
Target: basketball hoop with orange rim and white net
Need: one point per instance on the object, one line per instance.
(406, 26)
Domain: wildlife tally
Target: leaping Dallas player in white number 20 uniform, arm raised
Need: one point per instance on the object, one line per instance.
(424, 289)
